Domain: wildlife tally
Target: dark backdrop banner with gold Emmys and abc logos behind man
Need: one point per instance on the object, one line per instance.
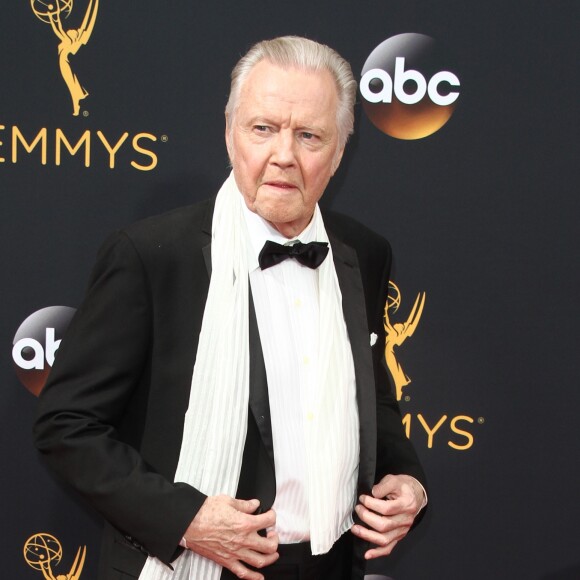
(465, 157)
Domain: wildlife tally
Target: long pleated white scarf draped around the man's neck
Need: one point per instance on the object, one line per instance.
(216, 420)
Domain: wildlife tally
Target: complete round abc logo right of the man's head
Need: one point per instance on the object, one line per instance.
(407, 91)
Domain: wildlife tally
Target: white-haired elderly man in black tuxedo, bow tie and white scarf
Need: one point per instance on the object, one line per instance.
(283, 456)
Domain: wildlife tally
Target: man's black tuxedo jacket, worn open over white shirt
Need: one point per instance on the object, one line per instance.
(110, 419)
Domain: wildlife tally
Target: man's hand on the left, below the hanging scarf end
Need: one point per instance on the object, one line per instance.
(224, 531)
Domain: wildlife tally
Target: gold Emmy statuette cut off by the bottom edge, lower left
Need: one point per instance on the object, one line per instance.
(42, 551)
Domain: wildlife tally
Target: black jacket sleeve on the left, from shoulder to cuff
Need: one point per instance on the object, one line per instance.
(97, 379)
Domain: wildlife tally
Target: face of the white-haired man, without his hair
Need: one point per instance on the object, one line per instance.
(283, 143)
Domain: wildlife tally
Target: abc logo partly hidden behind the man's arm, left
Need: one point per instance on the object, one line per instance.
(35, 344)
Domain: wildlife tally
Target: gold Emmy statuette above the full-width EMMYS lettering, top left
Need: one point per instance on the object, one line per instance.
(52, 12)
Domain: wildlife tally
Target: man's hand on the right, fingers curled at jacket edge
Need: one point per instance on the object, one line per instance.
(389, 513)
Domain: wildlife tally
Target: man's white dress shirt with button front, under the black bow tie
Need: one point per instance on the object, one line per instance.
(286, 303)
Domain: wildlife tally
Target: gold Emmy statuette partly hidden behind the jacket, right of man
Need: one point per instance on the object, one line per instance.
(397, 334)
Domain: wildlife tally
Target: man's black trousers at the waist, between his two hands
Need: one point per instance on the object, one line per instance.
(296, 562)
